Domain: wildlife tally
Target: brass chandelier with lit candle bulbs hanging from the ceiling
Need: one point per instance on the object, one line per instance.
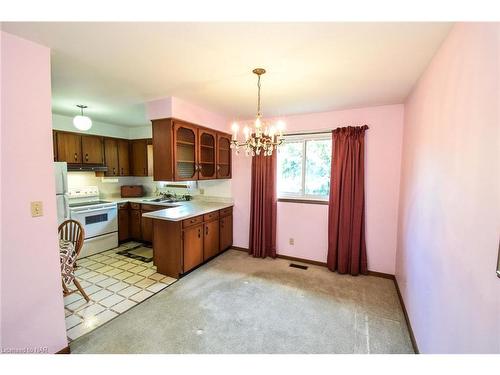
(264, 137)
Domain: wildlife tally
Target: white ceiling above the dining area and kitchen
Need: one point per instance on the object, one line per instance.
(115, 68)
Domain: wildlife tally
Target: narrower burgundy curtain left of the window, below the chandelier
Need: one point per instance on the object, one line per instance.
(263, 207)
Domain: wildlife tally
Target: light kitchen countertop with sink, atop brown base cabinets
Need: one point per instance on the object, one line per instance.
(179, 210)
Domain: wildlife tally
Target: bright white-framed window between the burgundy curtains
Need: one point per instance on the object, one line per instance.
(304, 166)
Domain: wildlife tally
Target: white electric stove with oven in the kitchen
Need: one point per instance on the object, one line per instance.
(99, 219)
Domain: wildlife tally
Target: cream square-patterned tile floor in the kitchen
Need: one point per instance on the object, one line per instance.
(114, 283)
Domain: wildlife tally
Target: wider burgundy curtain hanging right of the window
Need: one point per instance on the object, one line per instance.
(346, 211)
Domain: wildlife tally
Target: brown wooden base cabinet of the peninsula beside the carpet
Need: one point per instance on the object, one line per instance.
(180, 246)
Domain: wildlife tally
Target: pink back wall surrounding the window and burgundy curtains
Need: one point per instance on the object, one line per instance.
(306, 223)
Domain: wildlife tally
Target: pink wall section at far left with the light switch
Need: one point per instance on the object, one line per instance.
(32, 312)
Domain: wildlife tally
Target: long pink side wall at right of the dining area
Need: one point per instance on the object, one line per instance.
(449, 207)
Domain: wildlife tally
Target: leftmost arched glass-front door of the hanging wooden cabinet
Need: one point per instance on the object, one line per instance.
(185, 152)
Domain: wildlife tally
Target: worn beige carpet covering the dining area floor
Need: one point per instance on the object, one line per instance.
(239, 304)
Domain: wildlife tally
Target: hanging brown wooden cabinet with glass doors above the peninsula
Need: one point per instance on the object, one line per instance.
(188, 152)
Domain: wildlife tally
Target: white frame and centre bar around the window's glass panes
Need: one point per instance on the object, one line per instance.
(304, 138)
